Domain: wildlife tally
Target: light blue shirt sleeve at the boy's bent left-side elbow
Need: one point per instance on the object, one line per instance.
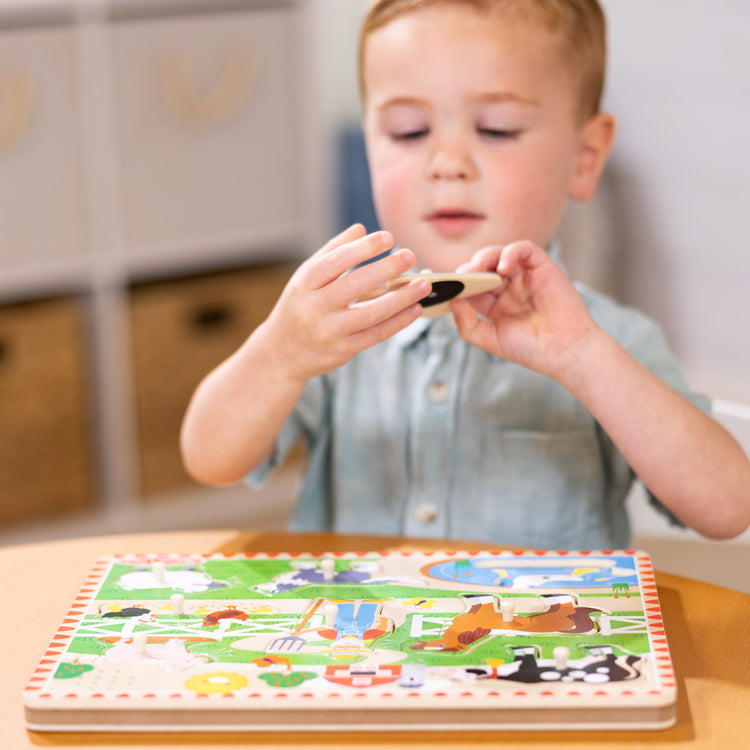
(305, 422)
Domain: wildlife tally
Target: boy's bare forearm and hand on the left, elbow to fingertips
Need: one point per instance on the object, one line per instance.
(239, 408)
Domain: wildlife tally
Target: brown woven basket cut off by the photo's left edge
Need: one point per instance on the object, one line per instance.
(46, 463)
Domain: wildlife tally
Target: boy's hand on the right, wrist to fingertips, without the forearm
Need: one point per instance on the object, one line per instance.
(536, 319)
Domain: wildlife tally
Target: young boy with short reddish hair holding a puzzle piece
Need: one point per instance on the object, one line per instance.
(522, 417)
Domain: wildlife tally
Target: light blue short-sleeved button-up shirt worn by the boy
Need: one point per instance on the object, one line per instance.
(425, 435)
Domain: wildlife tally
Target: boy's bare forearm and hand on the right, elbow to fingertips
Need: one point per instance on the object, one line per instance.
(538, 320)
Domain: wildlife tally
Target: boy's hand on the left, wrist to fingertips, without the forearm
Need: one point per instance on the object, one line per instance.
(314, 327)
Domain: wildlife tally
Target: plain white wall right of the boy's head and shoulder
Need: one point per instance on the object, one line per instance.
(680, 87)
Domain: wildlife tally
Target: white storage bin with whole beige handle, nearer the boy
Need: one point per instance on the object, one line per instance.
(208, 121)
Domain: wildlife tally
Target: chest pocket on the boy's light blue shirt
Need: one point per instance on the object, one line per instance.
(541, 489)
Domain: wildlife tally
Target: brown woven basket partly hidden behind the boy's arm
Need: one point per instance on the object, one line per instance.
(181, 330)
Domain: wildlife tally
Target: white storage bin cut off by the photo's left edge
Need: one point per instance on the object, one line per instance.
(42, 217)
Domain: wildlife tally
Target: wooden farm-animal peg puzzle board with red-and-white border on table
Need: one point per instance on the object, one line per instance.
(403, 640)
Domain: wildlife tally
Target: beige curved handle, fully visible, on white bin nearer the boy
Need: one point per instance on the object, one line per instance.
(215, 104)
